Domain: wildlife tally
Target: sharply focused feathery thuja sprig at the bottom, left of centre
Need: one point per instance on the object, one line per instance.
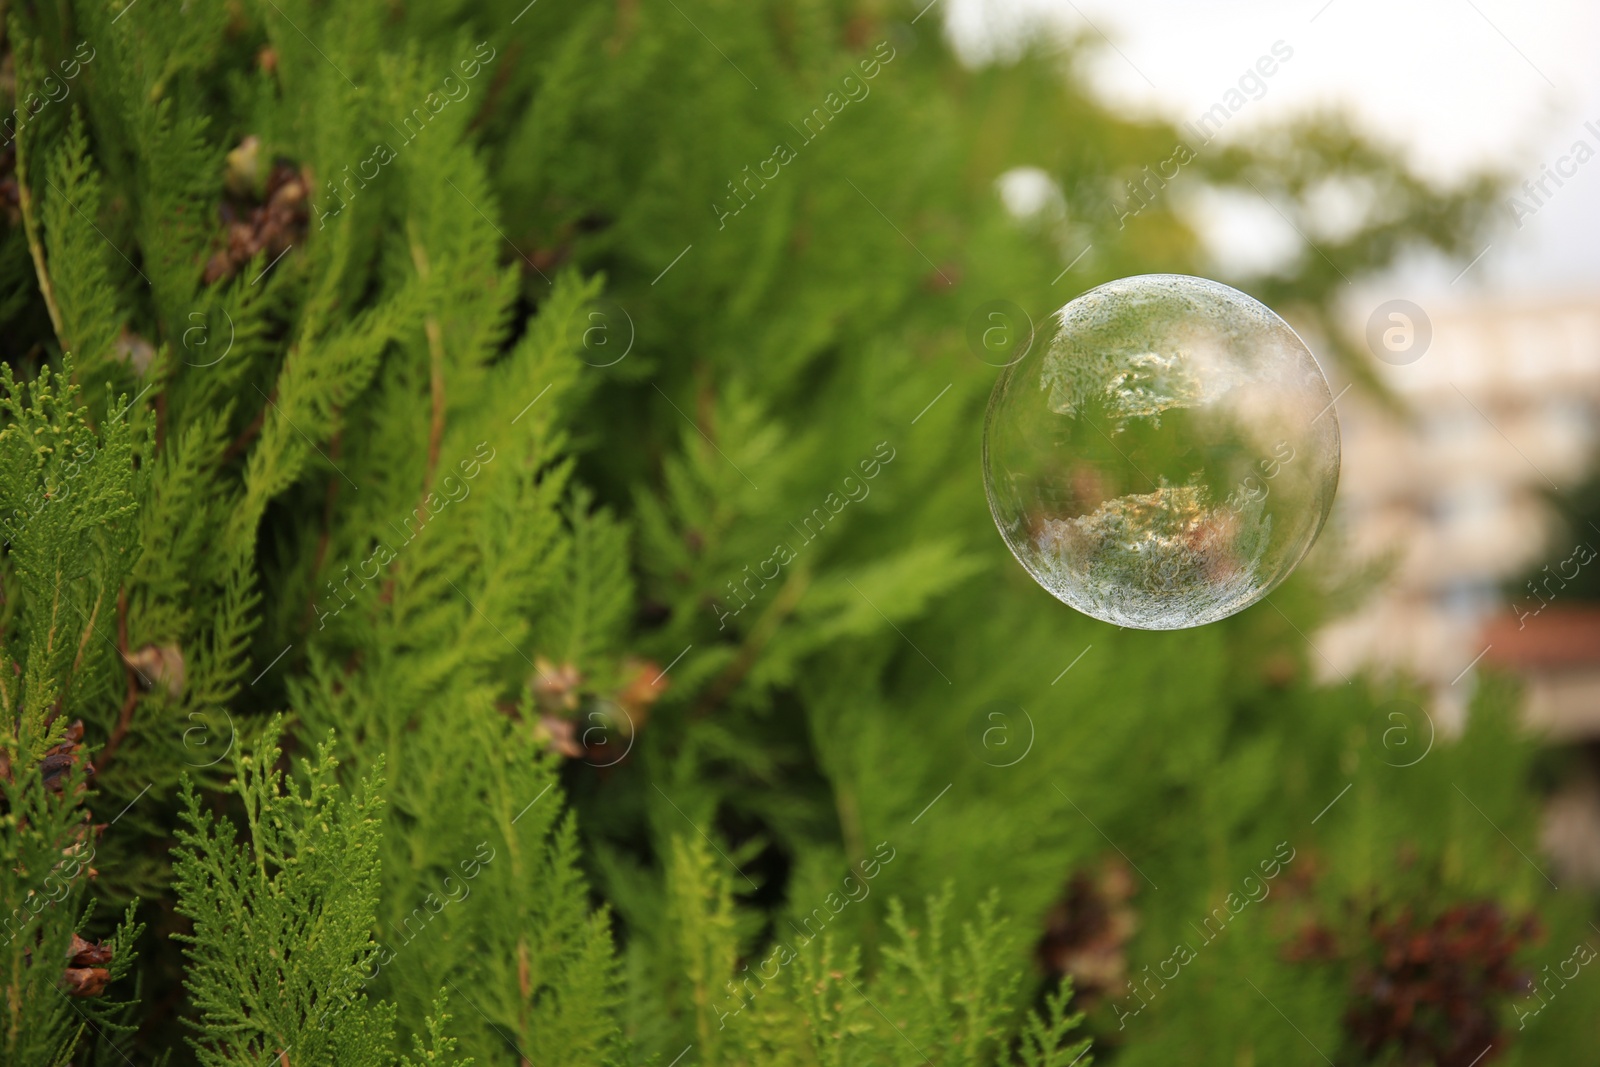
(284, 922)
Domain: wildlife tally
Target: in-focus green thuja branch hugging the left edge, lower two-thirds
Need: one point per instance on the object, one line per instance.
(68, 513)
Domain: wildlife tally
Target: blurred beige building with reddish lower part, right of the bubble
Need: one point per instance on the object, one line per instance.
(1452, 492)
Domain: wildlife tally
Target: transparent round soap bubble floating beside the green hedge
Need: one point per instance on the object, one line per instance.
(1169, 458)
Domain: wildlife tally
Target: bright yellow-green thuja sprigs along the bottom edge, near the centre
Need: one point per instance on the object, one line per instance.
(809, 1002)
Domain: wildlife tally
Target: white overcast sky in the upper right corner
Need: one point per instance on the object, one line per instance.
(1455, 82)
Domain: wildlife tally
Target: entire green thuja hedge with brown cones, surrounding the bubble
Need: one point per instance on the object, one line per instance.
(562, 417)
